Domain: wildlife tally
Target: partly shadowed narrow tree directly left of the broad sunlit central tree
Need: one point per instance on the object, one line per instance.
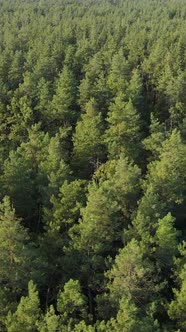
(59, 219)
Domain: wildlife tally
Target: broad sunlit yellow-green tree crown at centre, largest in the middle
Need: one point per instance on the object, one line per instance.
(108, 206)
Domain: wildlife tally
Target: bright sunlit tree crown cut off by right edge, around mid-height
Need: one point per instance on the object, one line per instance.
(167, 175)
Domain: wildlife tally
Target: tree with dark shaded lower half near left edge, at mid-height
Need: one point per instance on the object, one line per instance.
(22, 179)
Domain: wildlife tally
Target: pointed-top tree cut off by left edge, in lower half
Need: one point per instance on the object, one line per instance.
(13, 252)
